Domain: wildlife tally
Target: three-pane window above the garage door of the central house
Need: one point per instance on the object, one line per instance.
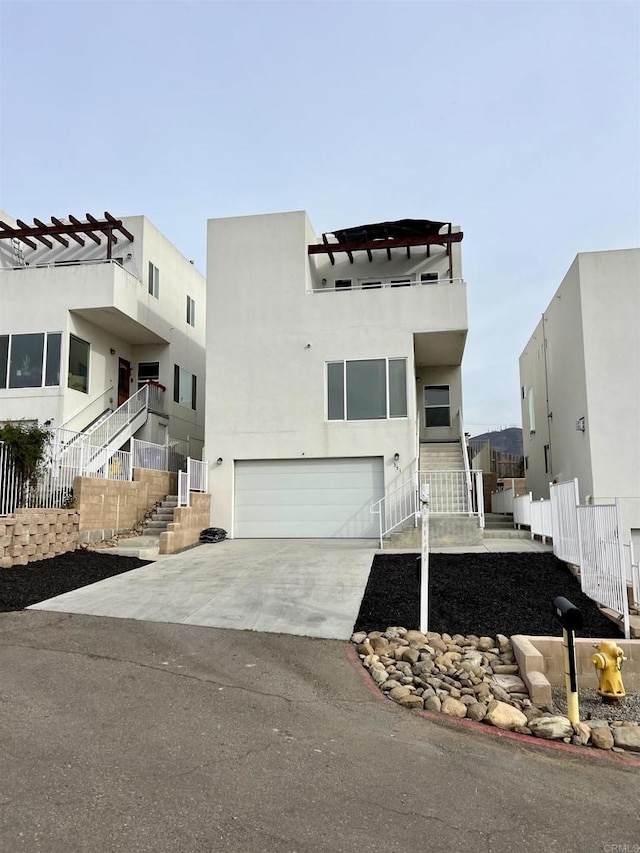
(367, 389)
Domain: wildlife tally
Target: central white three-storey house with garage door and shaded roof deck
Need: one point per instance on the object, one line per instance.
(328, 360)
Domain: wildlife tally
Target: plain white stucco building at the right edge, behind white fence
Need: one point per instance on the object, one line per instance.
(580, 386)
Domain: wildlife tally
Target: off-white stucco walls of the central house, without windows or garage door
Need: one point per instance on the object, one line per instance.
(277, 317)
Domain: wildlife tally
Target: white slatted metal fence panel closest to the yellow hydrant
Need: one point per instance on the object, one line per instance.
(602, 559)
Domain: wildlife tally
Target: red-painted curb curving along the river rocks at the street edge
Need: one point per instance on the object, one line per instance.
(493, 732)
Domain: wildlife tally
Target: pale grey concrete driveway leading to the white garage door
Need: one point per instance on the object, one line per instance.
(309, 587)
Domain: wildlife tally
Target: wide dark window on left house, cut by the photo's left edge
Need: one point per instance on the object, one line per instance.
(30, 361)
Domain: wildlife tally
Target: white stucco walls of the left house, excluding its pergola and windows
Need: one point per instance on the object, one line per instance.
(75, 292)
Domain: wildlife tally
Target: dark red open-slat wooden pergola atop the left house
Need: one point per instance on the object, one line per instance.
(62, 232)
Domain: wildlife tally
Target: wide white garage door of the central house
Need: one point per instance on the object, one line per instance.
(307, 498)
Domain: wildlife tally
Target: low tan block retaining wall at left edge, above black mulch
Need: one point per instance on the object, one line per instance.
(37, 534)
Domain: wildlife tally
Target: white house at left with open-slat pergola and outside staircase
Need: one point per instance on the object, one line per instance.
(91, 310)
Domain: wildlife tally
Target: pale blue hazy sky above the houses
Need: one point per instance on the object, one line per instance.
(518, 121)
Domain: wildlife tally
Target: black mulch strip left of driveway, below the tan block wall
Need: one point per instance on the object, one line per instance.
(21, 586)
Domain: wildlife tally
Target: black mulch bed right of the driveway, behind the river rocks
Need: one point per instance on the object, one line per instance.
(483, 594)
